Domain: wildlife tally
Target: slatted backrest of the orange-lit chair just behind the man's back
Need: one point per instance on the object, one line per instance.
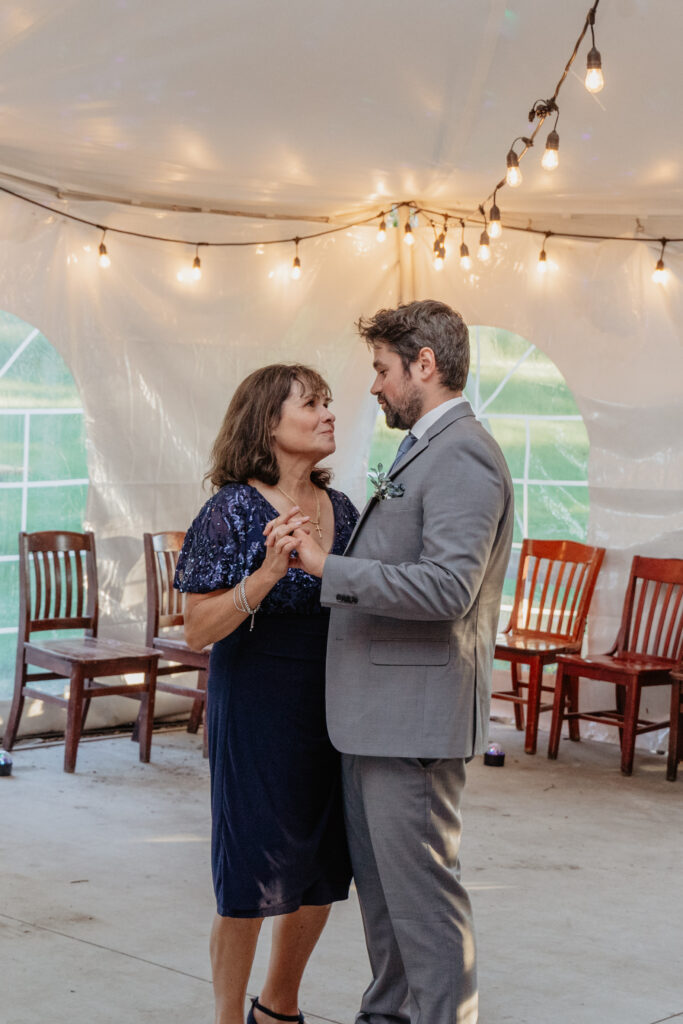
(556, 584)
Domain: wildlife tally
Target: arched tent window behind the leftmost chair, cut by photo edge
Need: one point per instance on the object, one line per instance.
(44, 470)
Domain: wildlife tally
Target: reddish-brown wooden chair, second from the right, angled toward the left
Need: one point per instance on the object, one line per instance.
(649, 647)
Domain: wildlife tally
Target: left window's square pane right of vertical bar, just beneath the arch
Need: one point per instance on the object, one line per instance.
(58, 448)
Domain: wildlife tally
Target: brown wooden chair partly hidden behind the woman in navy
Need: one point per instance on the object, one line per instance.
(165, 613)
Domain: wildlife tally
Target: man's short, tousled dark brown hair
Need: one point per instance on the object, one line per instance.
(428, 324)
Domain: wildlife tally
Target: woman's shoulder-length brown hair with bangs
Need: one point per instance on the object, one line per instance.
(244, 449)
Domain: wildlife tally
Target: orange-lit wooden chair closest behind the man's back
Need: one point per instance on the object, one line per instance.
(556, 584)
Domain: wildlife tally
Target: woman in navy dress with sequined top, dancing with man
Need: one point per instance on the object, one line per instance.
(279, 846)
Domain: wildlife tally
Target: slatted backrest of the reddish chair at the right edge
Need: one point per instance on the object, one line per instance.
(653, 618)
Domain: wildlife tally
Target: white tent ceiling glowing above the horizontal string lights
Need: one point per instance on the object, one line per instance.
(321, 108)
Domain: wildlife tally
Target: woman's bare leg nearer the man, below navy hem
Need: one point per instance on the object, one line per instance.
(294, 938)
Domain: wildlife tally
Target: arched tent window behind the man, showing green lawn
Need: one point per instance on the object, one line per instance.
(523, 400)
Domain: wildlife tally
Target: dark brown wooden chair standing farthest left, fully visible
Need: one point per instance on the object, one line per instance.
(59, 591)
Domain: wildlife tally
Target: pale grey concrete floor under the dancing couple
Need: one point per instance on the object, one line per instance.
(106, 899)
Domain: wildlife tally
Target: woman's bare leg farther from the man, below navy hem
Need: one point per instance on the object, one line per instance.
(233, 947)
